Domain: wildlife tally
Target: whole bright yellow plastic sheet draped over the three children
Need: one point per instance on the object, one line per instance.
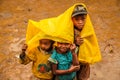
(61, 29)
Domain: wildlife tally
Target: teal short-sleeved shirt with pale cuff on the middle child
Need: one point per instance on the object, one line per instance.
(64, 61)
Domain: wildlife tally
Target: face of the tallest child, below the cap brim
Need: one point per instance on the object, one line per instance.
(79, 21)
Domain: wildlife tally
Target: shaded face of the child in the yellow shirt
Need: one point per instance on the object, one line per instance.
(45, 44)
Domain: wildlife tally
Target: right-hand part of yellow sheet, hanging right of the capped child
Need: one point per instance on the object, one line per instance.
(89, 51)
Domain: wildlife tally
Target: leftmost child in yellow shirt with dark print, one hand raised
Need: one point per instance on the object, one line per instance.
(39, 56)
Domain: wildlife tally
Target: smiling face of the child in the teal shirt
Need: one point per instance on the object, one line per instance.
(63, 47)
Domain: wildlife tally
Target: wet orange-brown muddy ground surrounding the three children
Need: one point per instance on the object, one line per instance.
(14, 16)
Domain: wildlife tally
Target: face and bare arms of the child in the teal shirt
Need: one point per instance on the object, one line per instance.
(62, 48)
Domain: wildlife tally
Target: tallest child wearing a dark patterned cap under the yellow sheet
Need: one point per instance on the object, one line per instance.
(79, 18)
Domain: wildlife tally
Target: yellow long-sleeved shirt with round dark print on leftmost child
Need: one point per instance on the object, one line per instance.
(41, 67)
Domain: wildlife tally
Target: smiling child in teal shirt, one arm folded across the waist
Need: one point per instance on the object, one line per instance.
(65, 61)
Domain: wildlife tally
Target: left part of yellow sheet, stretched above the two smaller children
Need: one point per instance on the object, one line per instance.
(59, 29)
